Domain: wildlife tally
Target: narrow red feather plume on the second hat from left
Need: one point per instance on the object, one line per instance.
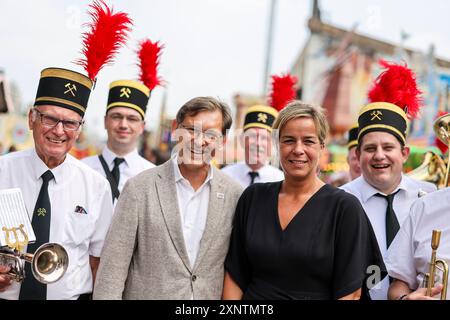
(149, 54)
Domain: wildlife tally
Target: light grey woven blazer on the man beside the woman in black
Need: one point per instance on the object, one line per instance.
(144, 255)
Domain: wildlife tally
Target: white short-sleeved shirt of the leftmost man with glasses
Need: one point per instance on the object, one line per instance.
(81, 234)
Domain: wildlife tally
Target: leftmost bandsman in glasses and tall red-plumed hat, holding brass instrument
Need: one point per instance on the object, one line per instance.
(68, 203)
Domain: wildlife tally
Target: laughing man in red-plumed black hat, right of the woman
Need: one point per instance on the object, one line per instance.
(385, 193)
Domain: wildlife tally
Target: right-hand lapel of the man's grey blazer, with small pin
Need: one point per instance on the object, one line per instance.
(214, 217)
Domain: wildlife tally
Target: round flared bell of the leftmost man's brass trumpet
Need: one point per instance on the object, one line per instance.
(49, 263)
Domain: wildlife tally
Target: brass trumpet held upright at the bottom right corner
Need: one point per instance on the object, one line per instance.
(435, 264)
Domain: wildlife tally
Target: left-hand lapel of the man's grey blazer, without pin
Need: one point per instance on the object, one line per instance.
(167, 194)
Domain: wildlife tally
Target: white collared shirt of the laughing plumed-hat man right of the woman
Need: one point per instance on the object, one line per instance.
(375, 208)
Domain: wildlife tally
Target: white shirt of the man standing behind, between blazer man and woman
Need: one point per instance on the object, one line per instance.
(239, 172)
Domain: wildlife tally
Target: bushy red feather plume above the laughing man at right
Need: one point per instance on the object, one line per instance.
(397, 85)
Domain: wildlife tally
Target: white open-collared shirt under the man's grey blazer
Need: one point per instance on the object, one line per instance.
(193, 210)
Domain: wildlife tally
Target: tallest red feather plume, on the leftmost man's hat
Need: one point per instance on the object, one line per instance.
(108, 32)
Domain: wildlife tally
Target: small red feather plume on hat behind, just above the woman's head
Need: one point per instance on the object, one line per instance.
(283, 91)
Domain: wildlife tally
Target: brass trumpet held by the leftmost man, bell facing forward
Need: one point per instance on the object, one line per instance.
(48, 264)
